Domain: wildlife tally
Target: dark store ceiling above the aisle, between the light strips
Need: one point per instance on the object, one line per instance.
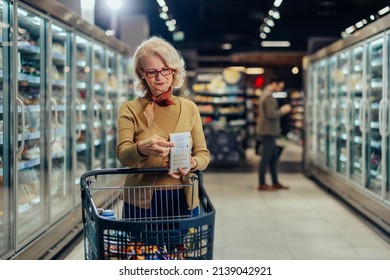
(208, 24)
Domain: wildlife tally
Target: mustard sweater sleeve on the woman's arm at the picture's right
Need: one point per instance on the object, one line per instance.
(199, 151)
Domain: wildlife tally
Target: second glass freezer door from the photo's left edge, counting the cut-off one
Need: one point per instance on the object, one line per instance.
(30, 192)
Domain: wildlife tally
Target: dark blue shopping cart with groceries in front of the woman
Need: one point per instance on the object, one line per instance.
(112, 233)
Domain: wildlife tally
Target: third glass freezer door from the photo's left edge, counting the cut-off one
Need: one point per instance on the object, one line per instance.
(60, 198)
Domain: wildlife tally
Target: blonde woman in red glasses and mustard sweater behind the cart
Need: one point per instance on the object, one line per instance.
(144, 125)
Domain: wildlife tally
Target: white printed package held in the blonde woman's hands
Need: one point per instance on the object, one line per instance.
(180, 154)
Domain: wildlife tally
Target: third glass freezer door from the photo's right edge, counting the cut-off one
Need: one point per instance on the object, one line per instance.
(356, 87)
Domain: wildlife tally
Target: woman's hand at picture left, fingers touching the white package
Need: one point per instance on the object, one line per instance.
(155, 146)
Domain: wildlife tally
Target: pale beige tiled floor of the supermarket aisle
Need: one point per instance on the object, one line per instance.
(302, 223)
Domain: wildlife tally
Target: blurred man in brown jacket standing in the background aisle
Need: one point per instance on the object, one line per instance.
(268, 129)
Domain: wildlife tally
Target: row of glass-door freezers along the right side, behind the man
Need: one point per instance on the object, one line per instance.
(347, 120)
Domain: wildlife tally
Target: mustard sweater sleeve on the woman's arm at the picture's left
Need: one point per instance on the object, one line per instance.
(127, 150)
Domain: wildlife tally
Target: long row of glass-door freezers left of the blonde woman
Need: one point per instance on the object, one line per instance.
(60, 85)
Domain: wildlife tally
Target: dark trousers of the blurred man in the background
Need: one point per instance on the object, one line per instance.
(269, 159)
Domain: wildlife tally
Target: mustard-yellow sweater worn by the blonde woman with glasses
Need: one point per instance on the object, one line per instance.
(133, 127)
